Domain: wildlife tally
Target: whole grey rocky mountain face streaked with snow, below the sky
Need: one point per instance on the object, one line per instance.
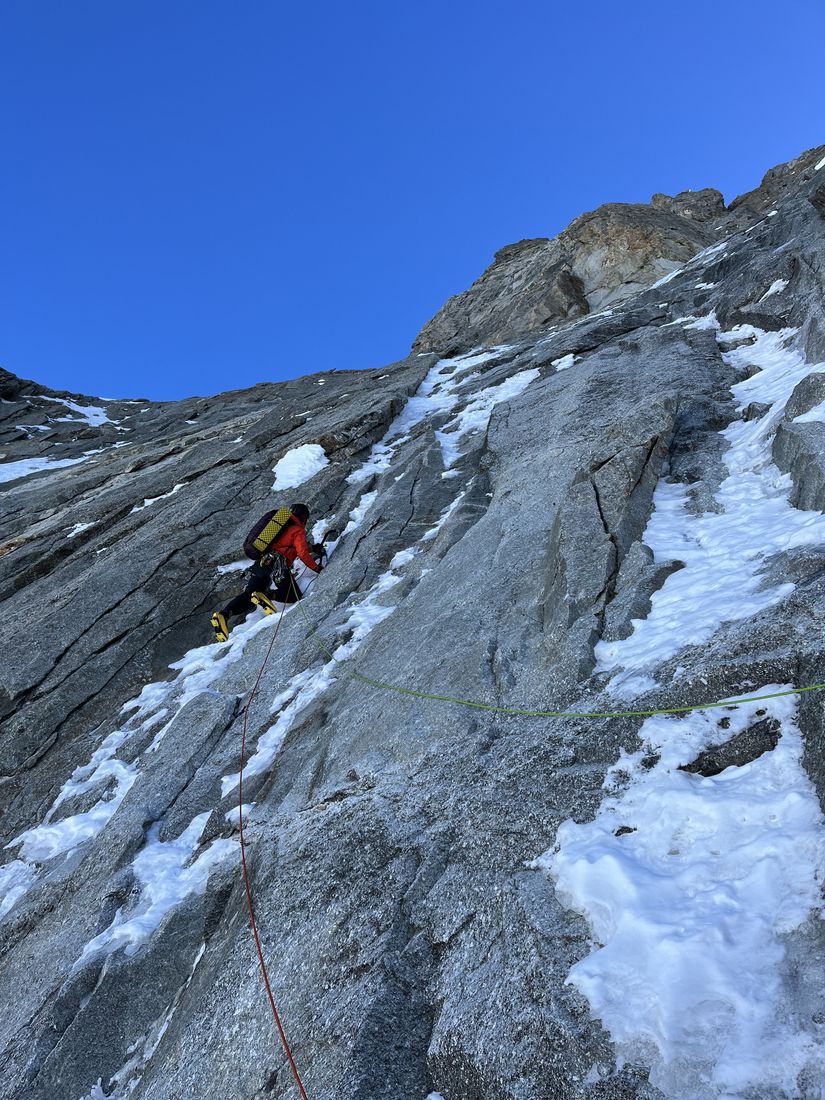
(596, 487)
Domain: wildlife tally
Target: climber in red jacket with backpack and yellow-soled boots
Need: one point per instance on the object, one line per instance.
(277, 542)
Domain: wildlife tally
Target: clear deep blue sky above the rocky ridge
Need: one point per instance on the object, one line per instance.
(197, 196)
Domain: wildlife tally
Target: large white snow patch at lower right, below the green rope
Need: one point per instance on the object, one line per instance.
(689, 909)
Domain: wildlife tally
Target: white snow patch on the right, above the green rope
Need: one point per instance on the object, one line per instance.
(723, 553)
